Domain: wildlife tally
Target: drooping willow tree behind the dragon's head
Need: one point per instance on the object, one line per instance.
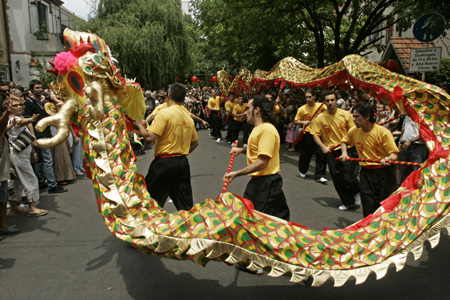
(147, 37)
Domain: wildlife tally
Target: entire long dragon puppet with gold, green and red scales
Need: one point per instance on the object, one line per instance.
(227, 228)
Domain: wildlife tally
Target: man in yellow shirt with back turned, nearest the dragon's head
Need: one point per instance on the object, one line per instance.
(174, 132)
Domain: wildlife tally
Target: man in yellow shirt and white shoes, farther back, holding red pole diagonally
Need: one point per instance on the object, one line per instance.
(309, 147)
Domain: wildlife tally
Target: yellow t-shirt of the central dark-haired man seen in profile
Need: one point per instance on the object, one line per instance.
(264, 140)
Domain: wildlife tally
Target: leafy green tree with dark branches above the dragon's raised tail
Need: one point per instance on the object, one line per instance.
(318, 32)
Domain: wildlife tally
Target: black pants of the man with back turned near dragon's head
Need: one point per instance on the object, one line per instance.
(170, 177)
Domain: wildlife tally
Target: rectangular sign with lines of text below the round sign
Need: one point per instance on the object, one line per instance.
(425, 59)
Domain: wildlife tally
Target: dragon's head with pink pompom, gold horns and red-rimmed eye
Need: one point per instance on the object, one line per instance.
(84, 71)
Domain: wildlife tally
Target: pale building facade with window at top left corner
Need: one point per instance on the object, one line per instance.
(33, 33)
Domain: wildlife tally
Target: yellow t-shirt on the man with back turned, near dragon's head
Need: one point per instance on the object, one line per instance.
(176, 131)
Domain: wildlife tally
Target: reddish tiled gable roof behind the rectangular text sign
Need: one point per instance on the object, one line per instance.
(402, 46)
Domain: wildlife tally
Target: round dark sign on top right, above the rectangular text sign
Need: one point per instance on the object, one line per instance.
(429, 27)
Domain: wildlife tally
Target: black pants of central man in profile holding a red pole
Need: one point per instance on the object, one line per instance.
(267, 195)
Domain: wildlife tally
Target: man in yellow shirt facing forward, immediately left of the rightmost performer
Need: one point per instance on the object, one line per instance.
(328, 131)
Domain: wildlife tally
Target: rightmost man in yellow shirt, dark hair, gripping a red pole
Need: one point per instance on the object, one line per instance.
(374, 142)
